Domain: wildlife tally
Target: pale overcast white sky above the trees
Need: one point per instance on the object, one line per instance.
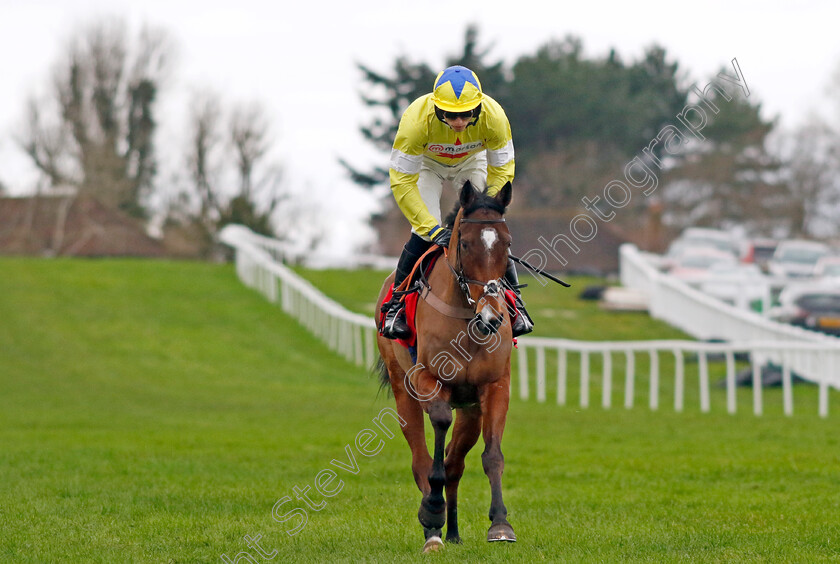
(297, 59)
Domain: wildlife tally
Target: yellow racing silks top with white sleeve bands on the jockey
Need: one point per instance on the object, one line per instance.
(421, 135)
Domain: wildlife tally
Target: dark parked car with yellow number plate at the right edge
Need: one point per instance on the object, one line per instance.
(811, 306)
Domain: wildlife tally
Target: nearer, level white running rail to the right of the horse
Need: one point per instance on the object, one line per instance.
(819, 360)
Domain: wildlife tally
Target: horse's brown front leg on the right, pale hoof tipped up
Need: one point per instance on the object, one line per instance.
(494, 406)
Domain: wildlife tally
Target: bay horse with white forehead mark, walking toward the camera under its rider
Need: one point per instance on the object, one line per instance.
(463, 351)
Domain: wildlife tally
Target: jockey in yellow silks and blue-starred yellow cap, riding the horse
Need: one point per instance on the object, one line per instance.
(455, 133)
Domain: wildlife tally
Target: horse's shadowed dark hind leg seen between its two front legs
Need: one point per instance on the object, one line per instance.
(465, 433)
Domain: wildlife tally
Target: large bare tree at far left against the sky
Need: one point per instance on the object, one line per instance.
(99, 135)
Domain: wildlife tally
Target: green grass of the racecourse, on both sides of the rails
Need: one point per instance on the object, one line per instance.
(157, 412)
